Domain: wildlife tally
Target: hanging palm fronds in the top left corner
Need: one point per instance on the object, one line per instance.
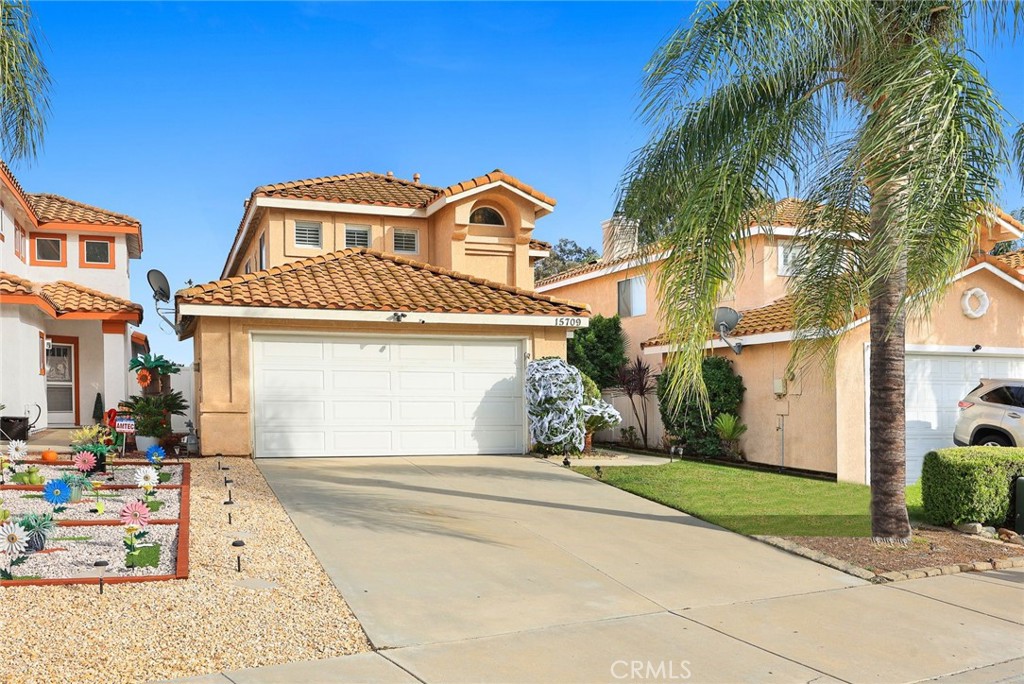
(25, 83)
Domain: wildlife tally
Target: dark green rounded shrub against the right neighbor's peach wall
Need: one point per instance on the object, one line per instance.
(686, 420)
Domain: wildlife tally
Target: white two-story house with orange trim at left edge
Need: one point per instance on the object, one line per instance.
(66, 316)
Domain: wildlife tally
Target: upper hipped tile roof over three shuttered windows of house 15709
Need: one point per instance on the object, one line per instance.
(366, 188)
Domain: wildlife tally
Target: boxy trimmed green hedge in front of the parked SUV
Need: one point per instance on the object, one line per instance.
(970, 484)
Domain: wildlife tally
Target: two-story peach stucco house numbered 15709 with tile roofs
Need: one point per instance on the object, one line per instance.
(366, 315)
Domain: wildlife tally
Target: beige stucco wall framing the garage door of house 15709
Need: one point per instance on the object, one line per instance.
(223, 360)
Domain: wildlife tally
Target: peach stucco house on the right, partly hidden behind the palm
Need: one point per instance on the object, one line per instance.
(810, 421)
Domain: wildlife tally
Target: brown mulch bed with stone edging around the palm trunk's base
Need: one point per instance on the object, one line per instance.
(929, 548)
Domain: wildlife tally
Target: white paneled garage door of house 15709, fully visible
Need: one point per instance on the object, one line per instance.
(385, 397)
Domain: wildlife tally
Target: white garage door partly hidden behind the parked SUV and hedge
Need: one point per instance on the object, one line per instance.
(934, 384)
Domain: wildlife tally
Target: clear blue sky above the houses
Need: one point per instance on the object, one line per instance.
(173, 113)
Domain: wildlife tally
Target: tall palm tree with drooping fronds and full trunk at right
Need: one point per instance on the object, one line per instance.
(876, 113)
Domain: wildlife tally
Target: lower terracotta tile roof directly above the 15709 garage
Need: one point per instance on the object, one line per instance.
(360, 280)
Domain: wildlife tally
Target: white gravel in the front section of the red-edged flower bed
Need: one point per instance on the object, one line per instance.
(75, 549)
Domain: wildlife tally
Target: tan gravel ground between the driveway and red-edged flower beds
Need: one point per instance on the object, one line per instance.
(163, 630)
